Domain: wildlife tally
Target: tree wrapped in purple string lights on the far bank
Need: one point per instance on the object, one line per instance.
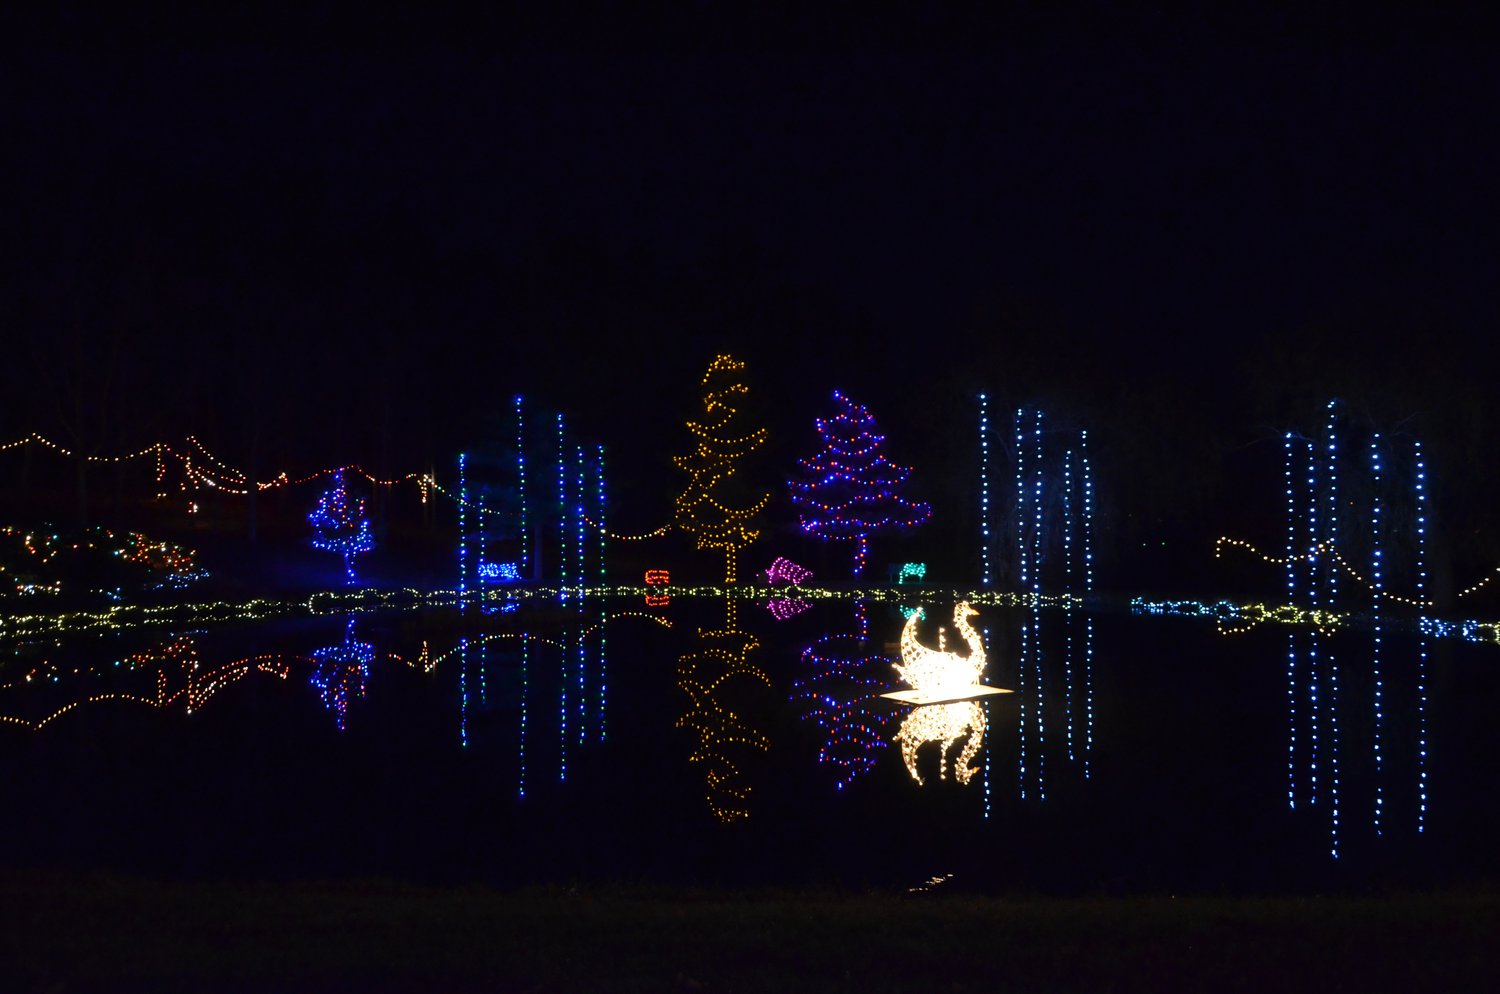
(850, 491)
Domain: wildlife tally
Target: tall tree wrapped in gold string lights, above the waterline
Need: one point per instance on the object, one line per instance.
(721, 442)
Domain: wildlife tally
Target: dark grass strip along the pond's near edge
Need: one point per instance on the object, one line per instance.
(71, 933)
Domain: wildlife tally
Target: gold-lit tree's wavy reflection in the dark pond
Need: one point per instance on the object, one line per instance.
(722, 732)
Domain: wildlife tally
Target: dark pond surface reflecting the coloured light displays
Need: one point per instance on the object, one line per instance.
(559, 762)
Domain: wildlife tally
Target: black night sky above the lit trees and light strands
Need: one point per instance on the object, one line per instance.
(352, 238)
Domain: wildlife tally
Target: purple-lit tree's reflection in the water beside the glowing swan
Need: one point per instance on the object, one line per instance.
(839, 695)
